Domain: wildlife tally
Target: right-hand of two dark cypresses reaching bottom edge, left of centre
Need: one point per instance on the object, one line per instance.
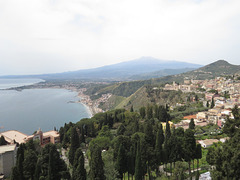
(96, 164)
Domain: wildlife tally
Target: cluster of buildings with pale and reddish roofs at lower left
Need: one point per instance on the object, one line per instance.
(8, 152)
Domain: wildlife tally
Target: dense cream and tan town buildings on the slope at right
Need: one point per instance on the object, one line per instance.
(227, 96)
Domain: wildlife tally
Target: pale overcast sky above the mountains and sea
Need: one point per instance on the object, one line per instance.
(44, 36)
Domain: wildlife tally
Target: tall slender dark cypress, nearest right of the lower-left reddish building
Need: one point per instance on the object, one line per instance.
(74, 145)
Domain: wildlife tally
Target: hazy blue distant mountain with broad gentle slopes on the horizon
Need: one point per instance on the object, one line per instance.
(123, 71)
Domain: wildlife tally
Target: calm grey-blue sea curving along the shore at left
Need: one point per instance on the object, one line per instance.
(31, 109)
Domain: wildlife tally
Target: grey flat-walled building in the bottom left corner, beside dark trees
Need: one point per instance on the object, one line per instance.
(7, 159)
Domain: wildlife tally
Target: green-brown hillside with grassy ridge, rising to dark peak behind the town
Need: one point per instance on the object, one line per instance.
(136, 93)
